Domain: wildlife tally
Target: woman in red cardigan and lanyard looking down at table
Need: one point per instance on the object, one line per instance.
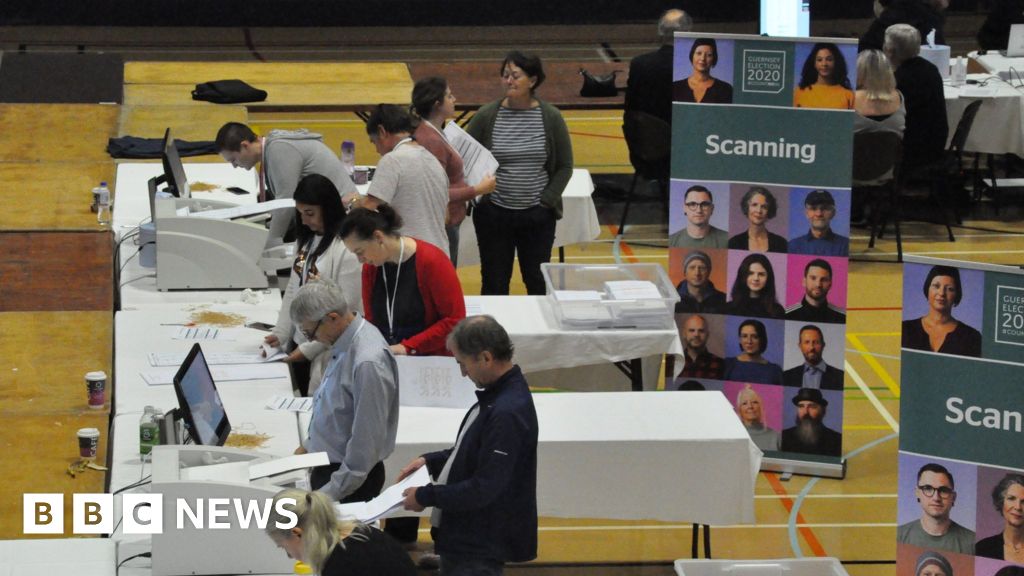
(411, 292)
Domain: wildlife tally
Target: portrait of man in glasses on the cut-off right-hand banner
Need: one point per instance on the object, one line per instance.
(935, 529)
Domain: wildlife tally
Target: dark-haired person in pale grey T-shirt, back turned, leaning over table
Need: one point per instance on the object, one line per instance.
(408, 178)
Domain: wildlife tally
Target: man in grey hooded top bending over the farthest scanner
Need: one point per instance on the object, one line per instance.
(285, 157)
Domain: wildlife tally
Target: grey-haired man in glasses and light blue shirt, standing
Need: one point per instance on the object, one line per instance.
(356, 410)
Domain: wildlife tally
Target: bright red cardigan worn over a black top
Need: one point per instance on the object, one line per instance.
(443, 301)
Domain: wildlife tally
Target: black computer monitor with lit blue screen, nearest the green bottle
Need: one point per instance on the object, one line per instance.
(199, 402)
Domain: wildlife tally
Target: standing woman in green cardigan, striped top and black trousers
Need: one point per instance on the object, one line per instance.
(532, 144)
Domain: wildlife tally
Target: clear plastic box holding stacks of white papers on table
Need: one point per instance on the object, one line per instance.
(591, 297)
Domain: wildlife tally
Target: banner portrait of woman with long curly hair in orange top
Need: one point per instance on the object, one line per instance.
(824, 83)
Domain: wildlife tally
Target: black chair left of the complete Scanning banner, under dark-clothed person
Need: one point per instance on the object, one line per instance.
(650, 141)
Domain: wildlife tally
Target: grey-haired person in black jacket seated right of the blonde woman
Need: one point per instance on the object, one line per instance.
(919, 80)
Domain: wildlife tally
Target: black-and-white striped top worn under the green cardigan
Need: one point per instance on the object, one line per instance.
(519, 146)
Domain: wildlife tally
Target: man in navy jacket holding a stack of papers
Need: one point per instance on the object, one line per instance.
(485, 490)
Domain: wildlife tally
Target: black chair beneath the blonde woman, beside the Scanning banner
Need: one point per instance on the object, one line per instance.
(876, 171)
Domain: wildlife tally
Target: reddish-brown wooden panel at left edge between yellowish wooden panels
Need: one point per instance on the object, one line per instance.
(57, 271)
